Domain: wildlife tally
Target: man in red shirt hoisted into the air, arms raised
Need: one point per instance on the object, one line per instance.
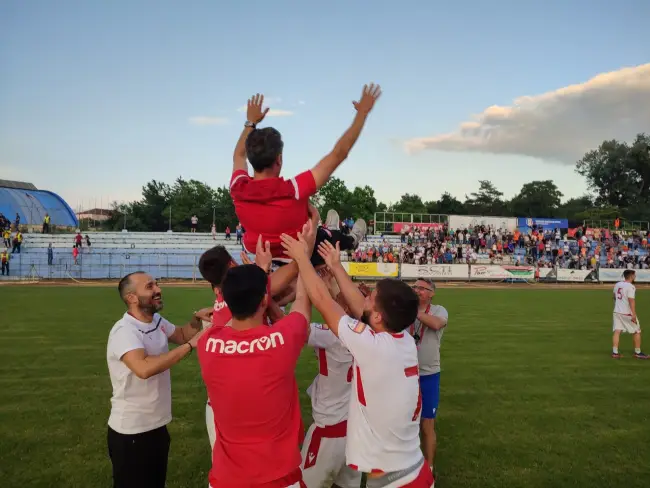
(267, 204)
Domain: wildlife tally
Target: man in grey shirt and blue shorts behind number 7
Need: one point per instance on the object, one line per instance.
(427, 331)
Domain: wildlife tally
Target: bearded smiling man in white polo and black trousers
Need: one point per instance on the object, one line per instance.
(138, 362)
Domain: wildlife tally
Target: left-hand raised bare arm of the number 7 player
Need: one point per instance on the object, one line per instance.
(317, 291)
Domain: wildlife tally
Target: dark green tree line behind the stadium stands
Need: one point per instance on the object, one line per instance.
(617, 175)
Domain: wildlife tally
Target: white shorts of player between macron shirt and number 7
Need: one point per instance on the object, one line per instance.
(327, 464)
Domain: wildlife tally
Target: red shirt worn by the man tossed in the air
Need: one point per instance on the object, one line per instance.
(271, 207)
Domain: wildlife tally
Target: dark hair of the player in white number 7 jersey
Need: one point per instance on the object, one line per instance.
(397, 303)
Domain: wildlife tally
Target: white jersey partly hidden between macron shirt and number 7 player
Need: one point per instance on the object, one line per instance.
(330, 390)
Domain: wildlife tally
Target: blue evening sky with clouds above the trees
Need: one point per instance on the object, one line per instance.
(97, 98)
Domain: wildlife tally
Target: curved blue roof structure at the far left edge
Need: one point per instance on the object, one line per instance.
(32, 205)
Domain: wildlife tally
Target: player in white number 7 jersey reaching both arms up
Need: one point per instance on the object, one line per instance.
(383, 423)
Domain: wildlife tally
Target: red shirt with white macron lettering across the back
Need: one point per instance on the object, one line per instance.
(259, 428)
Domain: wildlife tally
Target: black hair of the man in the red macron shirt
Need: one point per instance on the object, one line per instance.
(244, 289)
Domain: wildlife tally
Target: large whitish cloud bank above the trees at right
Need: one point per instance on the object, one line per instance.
(560, 125)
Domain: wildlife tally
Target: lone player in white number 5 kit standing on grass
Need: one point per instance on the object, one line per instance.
(625, 319)
